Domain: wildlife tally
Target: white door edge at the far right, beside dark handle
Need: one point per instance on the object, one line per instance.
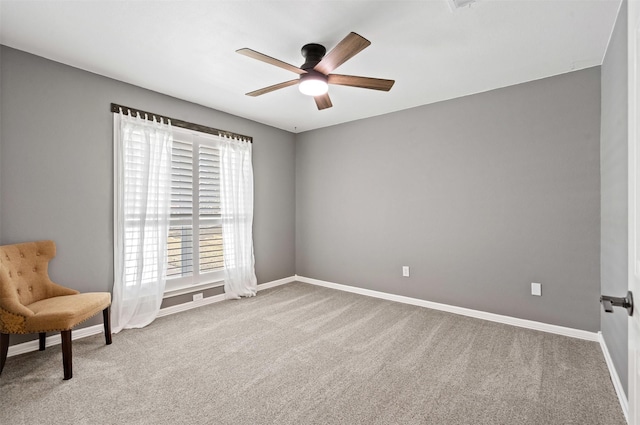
(634, 209)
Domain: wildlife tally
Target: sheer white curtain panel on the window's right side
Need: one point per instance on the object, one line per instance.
(236, 199)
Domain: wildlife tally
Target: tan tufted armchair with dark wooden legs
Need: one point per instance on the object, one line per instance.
(31, 303)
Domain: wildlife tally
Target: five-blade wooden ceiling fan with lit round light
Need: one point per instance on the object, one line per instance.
(315, 73)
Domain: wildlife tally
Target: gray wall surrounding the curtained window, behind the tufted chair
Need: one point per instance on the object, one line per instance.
(56, 169)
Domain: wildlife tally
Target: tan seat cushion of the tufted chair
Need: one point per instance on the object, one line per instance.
(64, 312)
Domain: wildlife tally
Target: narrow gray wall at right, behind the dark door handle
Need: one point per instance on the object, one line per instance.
(613, 170)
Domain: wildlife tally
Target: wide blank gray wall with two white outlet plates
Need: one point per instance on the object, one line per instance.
(480, 196)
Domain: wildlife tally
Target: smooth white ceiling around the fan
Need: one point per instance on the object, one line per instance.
(187, 49)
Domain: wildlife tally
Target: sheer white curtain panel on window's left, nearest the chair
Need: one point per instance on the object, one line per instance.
(142, 196)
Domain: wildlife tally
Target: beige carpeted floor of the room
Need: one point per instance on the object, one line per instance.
(300, 354)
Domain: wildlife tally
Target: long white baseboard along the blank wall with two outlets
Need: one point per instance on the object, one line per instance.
(514, 321)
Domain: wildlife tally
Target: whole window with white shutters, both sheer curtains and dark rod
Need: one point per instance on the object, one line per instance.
(178, 188)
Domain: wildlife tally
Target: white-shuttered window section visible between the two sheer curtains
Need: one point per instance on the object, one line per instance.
(194, 248)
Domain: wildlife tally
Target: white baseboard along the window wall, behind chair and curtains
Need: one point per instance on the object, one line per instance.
(28, 346)
